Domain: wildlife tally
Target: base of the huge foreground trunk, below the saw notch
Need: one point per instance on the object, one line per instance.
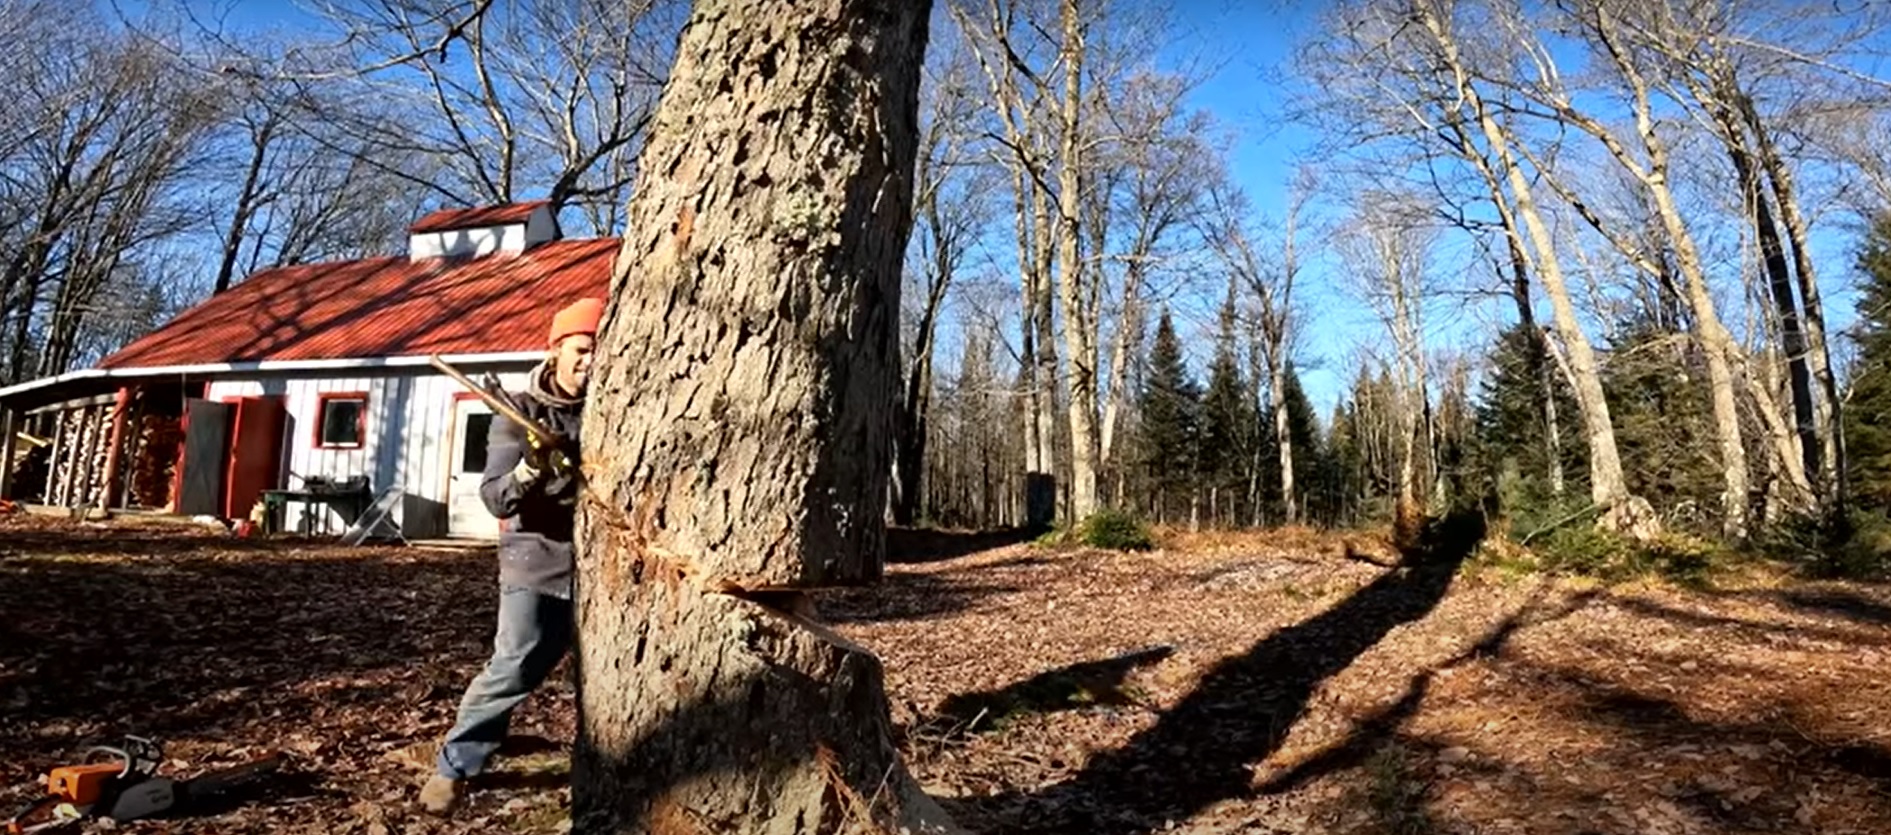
(727, 715)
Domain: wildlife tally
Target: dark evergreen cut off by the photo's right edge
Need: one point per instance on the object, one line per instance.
(1869, 409)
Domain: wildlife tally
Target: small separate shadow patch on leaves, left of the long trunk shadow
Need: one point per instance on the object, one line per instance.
(1064, 689)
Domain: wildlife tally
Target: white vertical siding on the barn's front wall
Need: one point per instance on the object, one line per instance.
(409, 441)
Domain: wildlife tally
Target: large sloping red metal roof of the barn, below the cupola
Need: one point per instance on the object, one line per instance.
(387, 307)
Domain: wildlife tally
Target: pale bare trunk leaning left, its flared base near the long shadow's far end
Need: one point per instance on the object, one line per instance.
(1606, 483)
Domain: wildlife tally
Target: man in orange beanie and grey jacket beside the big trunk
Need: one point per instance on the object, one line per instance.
(534, 492)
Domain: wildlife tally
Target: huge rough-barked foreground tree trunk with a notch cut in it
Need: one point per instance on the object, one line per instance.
(738, 435)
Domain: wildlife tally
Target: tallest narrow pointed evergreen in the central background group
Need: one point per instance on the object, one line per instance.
(1230, 424)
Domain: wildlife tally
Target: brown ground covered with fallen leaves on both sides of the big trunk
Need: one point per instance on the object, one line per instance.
(1243, 685)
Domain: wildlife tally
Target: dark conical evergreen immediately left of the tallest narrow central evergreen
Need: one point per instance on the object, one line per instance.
(1170, 422)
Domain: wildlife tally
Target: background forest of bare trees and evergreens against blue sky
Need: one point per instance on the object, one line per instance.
(1642, 197)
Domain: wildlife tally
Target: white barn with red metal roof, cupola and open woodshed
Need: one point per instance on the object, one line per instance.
(313, 375)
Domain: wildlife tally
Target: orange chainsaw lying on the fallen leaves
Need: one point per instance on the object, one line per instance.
(126, 787)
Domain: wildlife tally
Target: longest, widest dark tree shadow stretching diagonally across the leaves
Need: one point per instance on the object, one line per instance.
(1200, 753)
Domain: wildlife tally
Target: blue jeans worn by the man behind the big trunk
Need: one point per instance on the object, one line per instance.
(534, 634)
